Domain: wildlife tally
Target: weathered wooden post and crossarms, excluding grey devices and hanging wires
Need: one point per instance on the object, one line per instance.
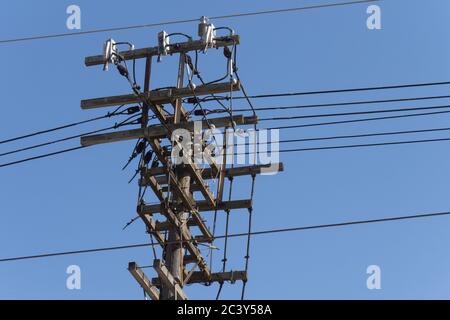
(174, 185)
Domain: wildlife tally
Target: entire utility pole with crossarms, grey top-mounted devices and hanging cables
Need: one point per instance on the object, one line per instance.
(182, 189)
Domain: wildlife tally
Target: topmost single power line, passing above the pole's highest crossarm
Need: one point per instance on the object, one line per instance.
(173, 22)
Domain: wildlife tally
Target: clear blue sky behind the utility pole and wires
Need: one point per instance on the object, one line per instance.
(82, 199)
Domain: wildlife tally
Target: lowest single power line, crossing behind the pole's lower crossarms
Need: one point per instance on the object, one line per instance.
(235, 235)
